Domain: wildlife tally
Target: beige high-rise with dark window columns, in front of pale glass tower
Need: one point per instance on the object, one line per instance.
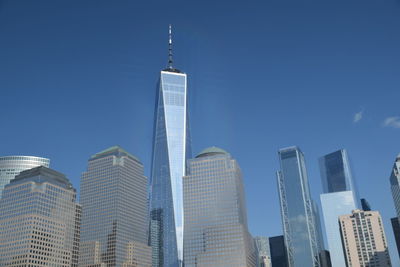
(364, 239)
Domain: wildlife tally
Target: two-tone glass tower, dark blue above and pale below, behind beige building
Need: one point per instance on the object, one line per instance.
(339, 198)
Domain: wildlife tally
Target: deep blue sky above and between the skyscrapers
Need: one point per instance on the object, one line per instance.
(79, 76)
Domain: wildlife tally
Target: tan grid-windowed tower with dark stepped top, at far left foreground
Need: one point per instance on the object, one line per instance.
(39, 220)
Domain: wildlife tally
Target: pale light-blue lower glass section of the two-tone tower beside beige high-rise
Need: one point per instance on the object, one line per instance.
(334, 205)
